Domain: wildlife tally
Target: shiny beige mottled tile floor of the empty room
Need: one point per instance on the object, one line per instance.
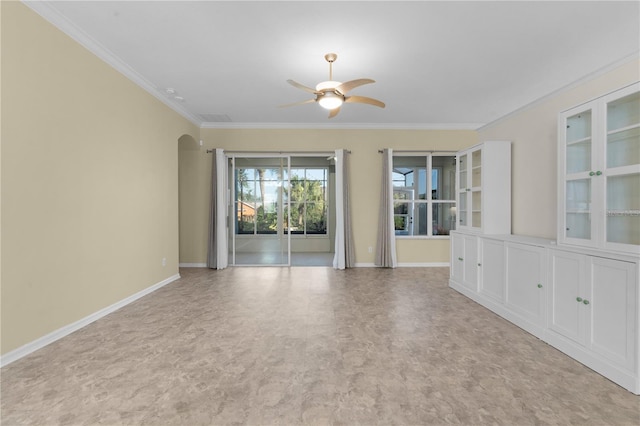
(307, 346)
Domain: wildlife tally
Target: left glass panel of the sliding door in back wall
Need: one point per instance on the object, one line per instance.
(260, 210)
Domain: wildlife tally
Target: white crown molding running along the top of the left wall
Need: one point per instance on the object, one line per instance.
(53, 16)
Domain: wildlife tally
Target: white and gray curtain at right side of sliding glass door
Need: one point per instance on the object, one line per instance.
(344, 254)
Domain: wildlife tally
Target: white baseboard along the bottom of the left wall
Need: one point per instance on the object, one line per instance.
(43, 341)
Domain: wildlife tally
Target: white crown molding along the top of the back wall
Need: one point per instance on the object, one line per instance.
(345, 126)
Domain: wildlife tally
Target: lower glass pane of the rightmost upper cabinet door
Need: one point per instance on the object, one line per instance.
(623, 209)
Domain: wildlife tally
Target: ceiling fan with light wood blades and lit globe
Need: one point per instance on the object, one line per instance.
(332, 94)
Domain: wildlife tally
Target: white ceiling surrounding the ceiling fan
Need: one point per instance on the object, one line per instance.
(446, 64)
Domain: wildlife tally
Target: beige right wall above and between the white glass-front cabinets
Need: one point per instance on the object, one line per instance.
(534, 151)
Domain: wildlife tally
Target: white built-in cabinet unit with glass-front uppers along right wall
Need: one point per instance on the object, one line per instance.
(581, 293)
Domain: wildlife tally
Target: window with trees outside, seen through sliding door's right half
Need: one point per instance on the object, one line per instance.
(308, 201)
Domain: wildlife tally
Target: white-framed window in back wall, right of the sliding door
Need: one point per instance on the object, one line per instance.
(424, 195)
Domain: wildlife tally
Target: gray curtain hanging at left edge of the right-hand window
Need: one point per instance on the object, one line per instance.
(386, 244)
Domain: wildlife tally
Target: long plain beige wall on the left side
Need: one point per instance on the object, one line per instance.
(89, 181)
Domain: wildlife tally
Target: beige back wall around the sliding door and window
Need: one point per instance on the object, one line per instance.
(195, 166)
